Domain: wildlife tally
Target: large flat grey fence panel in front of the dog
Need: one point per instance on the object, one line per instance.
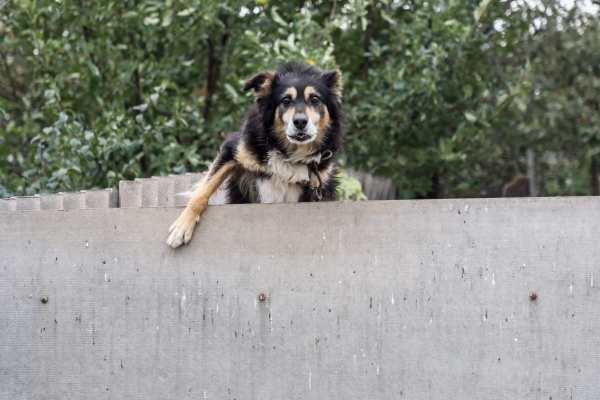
(375, 300)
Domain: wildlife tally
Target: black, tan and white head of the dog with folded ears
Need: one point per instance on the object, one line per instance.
(297, 101)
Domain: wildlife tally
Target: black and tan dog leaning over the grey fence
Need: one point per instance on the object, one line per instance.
(285, 151)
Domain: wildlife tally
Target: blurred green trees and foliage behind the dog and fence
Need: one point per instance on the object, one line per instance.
(447, 98)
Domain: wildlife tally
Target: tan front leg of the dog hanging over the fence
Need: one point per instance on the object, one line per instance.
(182, 229)
